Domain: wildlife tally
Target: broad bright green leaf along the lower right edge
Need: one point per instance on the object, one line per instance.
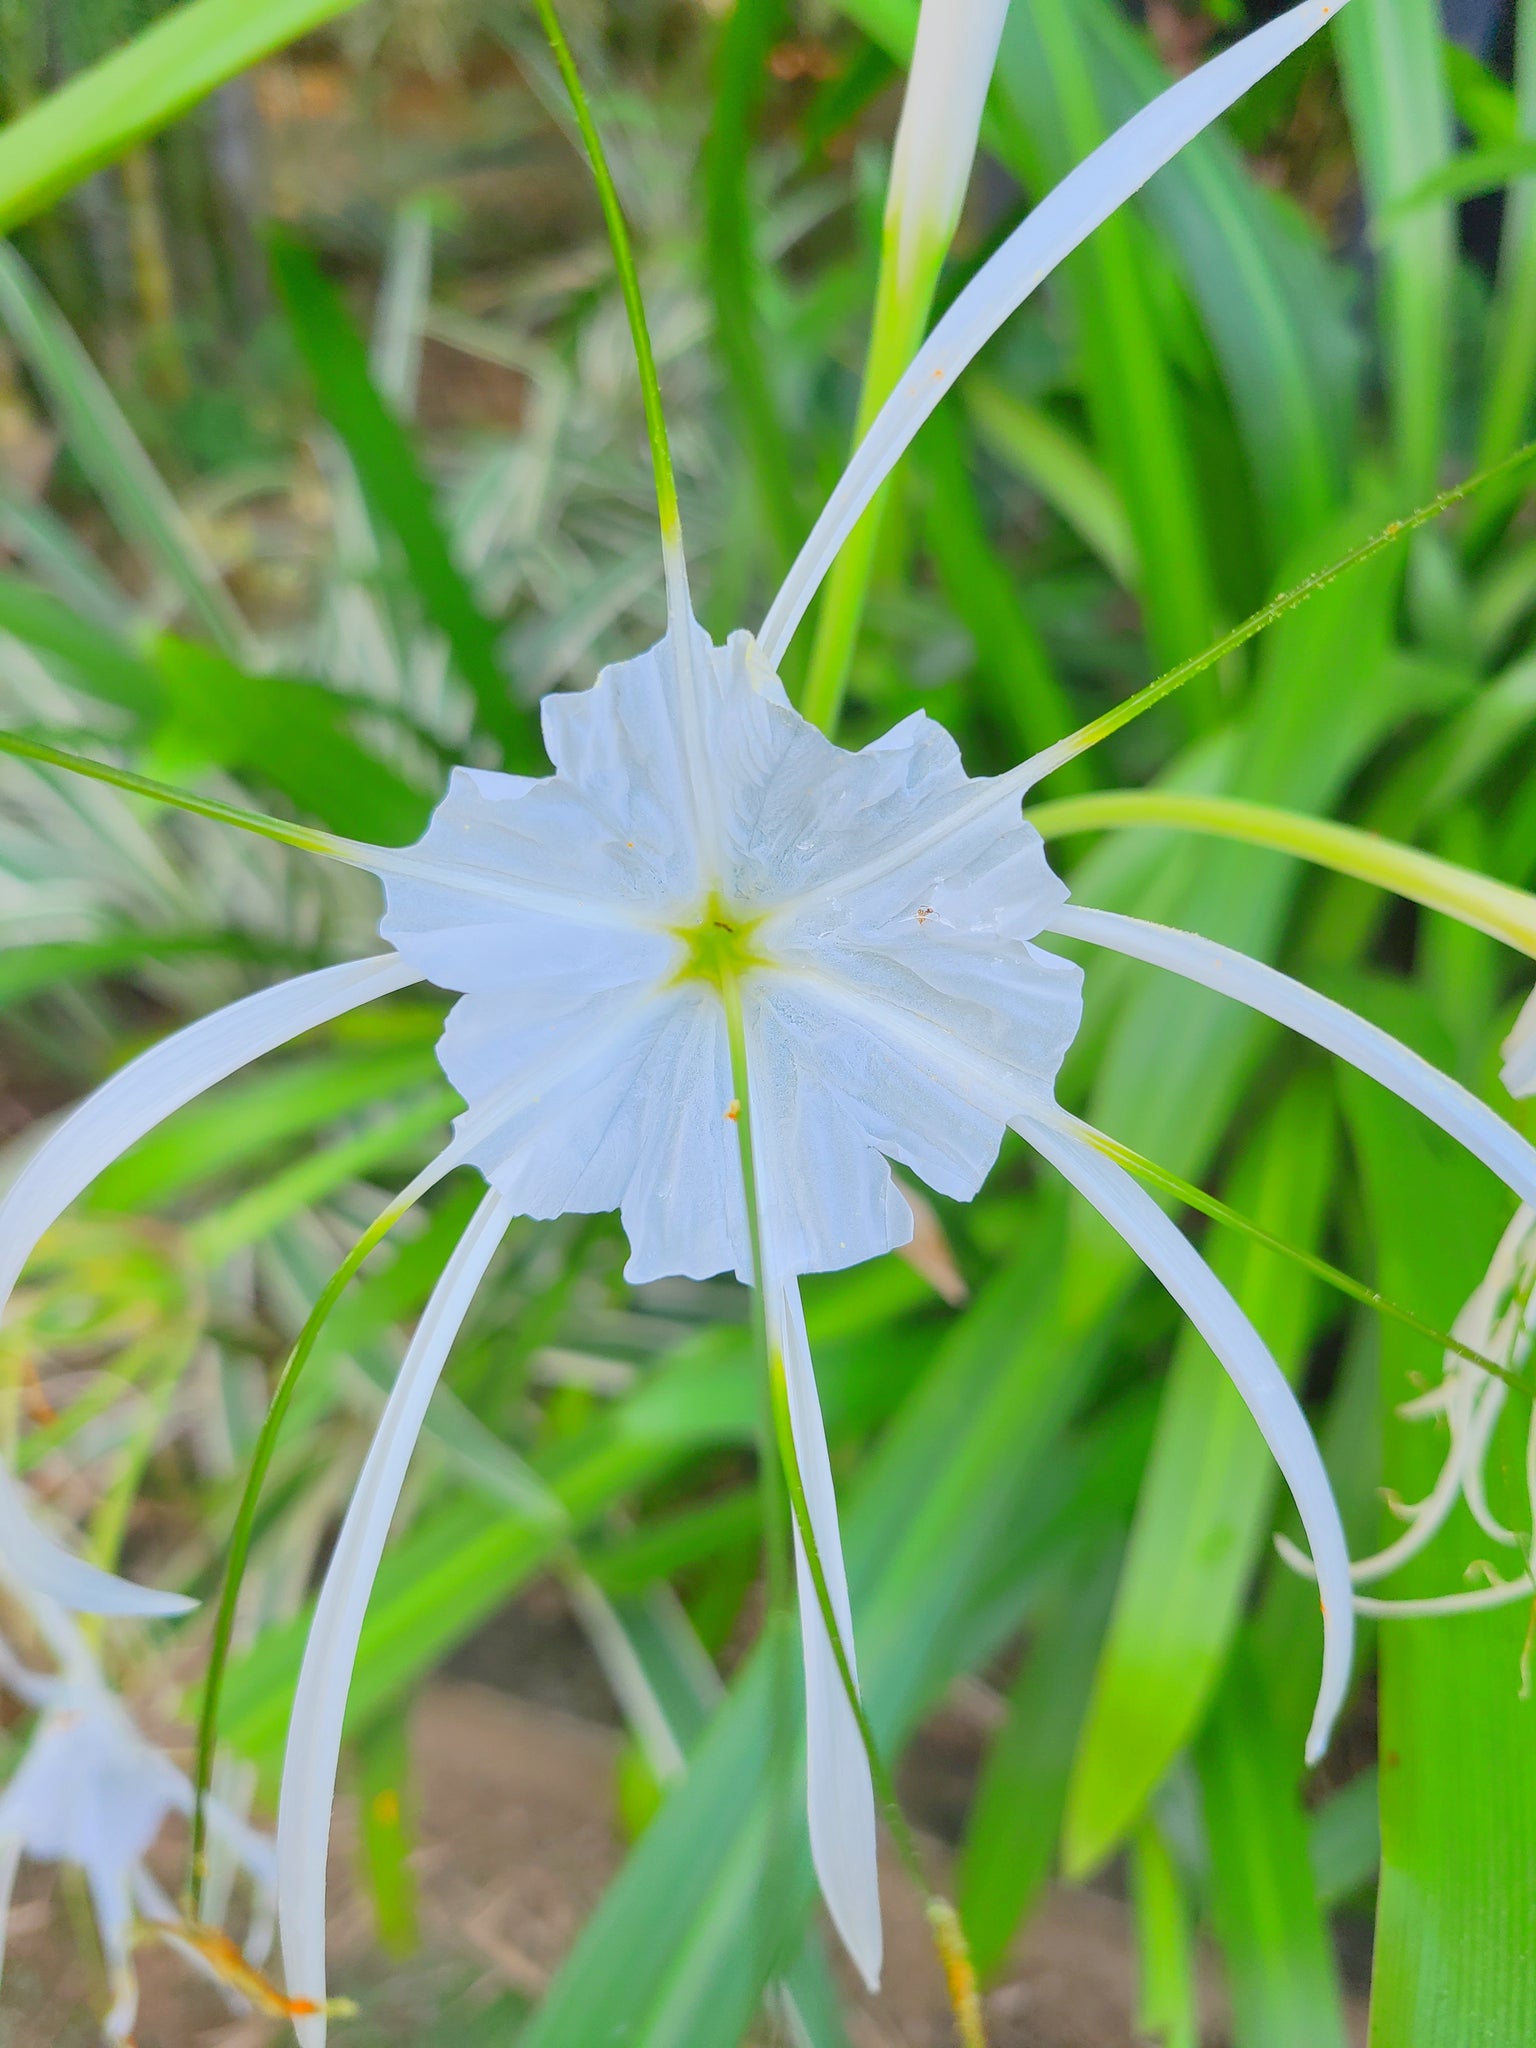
(1455, 1963)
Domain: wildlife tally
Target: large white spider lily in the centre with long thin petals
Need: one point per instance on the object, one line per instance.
(708, 871)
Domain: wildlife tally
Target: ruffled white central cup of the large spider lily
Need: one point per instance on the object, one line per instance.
(613, 1072)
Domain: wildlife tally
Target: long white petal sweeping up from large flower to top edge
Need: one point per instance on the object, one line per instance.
(1086, 198)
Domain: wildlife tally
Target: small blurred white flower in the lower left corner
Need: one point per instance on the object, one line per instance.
(93, 1793)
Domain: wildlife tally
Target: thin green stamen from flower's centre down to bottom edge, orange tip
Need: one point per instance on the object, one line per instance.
(949, 1936)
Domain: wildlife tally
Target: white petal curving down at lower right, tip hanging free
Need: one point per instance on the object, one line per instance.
(1166, 1252)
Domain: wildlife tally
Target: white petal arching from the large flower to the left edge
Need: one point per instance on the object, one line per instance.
(161, 1080)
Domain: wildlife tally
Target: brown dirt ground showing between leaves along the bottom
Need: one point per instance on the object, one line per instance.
(517, 1842)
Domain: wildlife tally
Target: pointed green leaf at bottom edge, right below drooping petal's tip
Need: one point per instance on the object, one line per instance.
(1269, 1922)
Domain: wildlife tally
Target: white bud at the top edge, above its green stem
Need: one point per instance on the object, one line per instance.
(937, 136)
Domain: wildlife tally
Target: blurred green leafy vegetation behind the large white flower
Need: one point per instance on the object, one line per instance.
(323, 462)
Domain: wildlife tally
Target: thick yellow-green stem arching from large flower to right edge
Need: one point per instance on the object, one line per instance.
(1488, 906)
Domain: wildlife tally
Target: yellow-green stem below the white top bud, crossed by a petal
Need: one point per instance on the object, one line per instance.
(900, 323)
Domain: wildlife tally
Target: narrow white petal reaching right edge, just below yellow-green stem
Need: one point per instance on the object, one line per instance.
(1326, 1023)
